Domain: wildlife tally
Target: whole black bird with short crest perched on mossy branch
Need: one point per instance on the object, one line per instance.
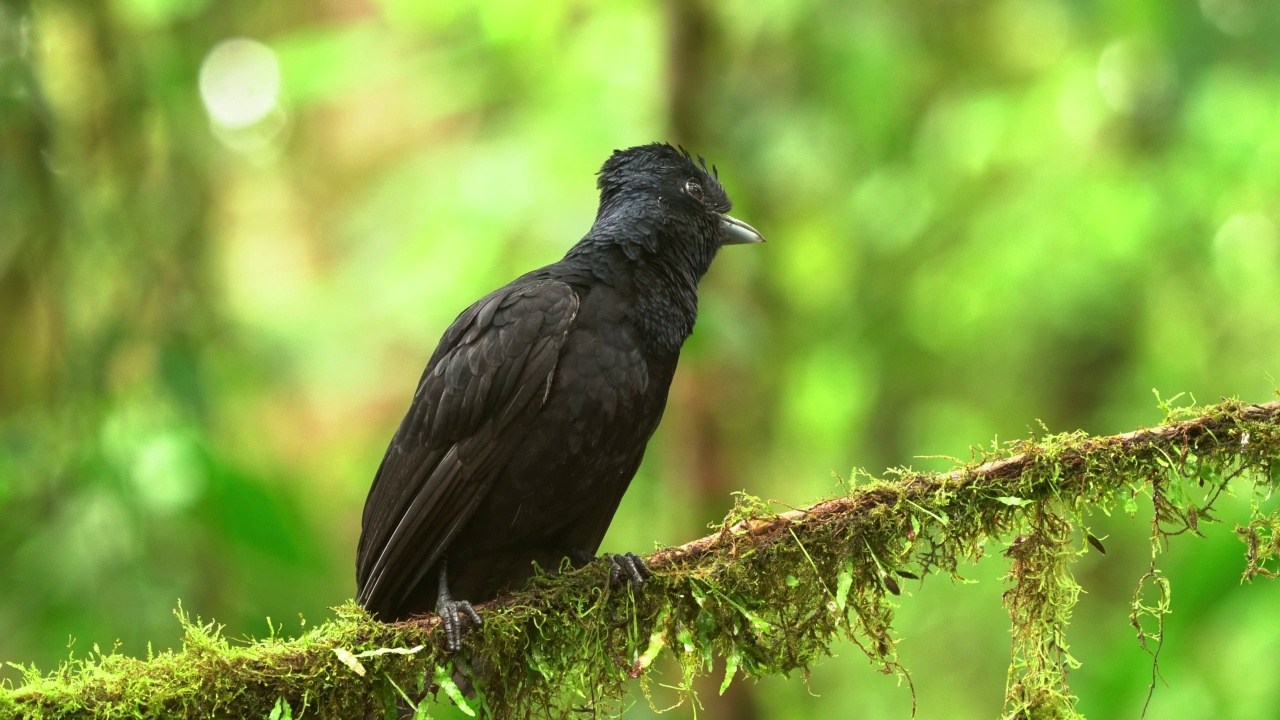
(536, 409)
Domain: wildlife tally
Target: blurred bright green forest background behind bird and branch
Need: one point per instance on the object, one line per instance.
(213, 309)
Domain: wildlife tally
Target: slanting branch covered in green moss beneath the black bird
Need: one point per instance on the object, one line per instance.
(767, 593)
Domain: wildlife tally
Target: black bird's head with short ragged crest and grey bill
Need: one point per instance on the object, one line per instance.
(657, 199)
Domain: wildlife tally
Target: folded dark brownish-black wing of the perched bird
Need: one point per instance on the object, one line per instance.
(490, 375)
